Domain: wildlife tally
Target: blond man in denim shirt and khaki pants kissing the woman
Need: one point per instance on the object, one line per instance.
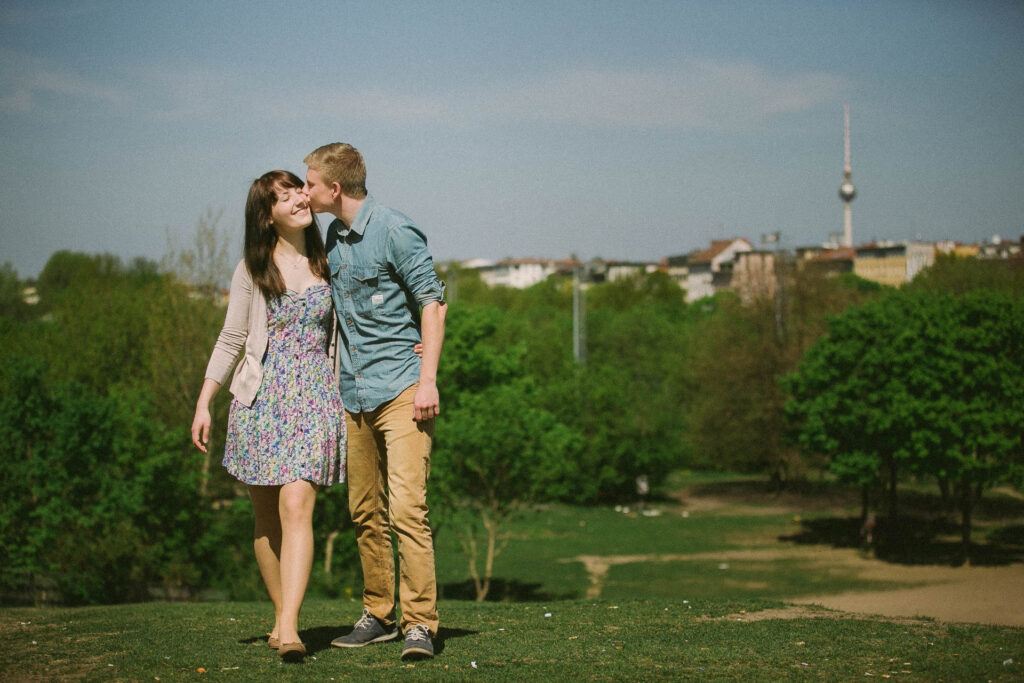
(388, 298)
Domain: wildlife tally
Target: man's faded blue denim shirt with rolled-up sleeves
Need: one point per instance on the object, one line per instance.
(381, 277)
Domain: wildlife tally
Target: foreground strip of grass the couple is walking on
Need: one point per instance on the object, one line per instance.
(564, 641)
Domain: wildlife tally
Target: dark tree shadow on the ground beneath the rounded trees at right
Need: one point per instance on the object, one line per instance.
(914, 539)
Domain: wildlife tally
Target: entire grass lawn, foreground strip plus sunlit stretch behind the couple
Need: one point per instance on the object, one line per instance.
(669, 608)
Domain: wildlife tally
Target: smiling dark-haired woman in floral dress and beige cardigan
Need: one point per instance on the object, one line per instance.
(286, 428)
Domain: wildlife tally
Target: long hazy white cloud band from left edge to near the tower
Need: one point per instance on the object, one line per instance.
(698, 95)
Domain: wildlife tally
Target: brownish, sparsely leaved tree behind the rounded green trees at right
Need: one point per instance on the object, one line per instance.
(740, 354)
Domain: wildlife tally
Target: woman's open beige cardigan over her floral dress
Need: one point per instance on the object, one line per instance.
(245, 325)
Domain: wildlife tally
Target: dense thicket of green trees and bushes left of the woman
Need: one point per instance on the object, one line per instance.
(109, 366)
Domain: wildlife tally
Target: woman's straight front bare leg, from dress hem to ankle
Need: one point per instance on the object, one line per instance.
(296, 505)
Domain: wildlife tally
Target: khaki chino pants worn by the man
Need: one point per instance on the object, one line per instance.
(389, 466)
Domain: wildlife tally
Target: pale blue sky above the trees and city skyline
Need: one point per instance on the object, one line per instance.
(629, 131)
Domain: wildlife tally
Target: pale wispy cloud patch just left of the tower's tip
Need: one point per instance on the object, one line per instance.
(705, 95)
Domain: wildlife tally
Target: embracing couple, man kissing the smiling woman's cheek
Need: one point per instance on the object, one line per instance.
(339, 346)
